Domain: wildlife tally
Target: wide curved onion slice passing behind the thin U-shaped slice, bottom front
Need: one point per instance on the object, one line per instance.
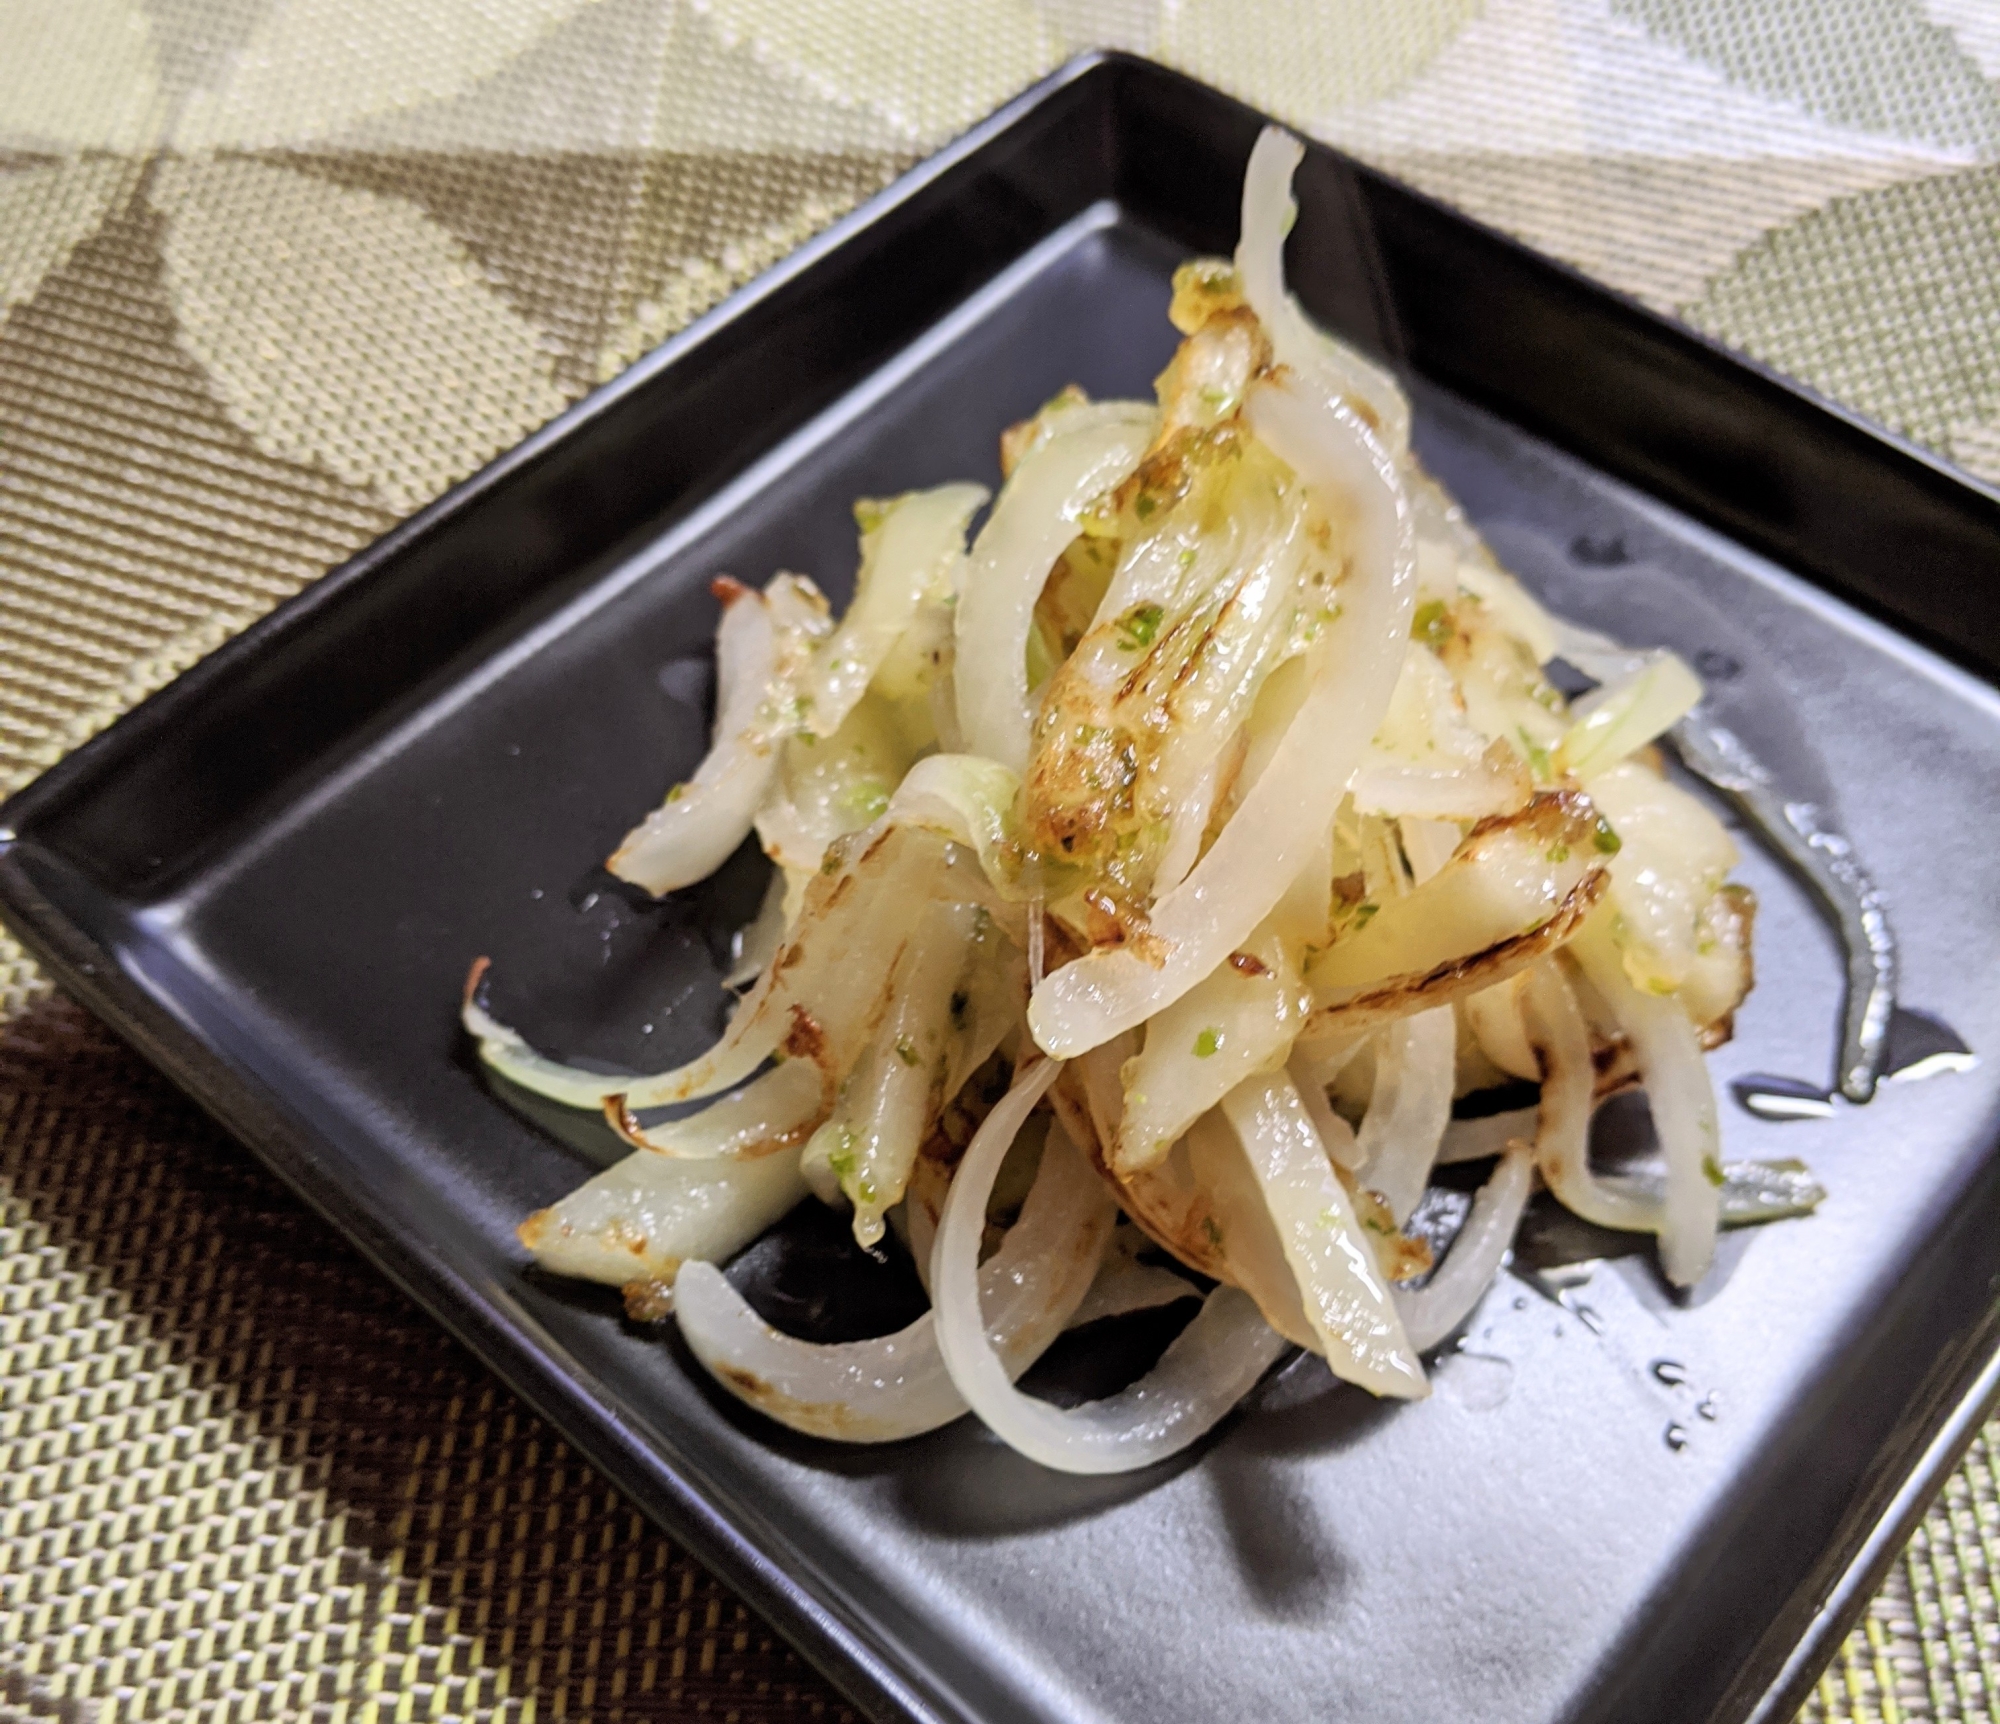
(879, 1391)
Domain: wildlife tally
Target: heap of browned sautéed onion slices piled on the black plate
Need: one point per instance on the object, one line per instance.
(1155, 871)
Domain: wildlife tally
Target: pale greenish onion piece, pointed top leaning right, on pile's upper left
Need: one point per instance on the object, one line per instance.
(907, 559)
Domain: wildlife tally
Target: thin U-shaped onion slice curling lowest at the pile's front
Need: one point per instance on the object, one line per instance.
(1213, 1363)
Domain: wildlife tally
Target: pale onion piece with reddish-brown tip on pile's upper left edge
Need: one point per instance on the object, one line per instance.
(759, 653)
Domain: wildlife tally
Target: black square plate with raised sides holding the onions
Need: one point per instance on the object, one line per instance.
(275, 875)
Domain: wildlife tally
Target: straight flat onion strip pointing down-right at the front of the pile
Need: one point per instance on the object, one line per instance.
(1347, 1301)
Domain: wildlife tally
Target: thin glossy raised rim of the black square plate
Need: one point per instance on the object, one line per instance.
(825, 1633)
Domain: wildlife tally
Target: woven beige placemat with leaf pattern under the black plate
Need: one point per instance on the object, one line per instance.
(275, 273)
